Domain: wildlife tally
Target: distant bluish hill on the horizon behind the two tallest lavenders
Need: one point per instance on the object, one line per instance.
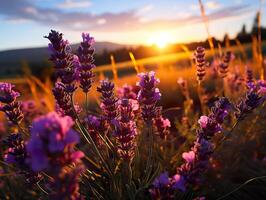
(11, 61)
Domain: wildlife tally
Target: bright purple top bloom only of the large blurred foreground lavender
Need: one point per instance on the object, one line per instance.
(51, 141)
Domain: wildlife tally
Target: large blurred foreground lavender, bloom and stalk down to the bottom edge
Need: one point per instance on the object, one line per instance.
(51, 149)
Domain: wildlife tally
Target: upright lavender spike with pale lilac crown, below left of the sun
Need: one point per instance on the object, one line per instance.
(148, 95)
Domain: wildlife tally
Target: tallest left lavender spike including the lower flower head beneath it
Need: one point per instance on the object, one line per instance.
(66, 64)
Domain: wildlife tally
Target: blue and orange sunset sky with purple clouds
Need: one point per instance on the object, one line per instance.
(25, 22)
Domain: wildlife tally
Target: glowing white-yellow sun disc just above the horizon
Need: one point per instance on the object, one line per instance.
(161, 39)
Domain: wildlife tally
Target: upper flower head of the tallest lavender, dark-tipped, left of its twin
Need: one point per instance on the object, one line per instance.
(64, 60)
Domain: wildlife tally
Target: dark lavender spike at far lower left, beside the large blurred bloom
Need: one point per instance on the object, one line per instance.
(17, 155)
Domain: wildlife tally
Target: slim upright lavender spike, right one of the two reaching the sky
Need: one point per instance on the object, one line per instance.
(85, 54)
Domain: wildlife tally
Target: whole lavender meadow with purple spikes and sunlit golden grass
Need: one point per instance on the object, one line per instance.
(180, 126)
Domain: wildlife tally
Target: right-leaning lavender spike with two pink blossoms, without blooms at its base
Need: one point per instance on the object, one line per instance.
(197, 160)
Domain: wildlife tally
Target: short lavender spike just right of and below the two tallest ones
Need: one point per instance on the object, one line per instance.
(109, 103)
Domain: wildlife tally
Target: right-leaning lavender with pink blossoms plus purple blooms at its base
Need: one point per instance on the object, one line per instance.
(196, 160)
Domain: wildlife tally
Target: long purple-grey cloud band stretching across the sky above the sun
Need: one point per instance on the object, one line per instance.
(106, 22)
